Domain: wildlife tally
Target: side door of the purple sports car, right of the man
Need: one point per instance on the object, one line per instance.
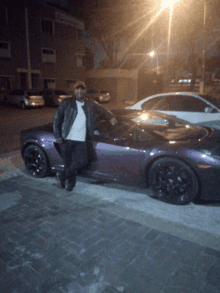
(115, 154)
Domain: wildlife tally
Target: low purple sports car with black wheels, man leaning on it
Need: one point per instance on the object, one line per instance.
(177, 160)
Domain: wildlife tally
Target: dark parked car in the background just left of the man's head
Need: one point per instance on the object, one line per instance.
(53, 98)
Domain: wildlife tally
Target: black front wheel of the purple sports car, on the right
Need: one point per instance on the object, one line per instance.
(173, 181)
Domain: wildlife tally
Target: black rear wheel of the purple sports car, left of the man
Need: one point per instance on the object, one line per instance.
(36, 162)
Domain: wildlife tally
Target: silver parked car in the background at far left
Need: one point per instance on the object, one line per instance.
(24, 99)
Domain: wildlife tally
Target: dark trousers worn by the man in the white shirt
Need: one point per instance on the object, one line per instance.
(74, 155)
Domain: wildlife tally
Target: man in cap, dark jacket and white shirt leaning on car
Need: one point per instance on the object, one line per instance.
(73, 128)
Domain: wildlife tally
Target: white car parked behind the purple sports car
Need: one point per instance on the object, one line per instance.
(196, 108)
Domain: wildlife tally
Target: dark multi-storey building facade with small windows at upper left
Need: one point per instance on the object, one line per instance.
(40, 47)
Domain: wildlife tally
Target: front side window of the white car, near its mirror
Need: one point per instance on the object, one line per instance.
(186, 103)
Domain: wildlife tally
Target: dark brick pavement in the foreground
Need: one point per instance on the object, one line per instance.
(51, 243)
